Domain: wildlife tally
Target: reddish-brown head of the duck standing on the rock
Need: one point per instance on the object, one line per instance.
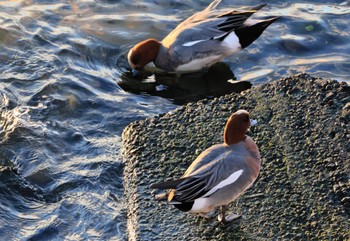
(237, 127)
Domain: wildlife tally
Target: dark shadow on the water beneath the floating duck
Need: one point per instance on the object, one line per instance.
(181, 89)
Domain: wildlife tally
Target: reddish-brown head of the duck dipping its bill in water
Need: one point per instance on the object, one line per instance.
(143, 53)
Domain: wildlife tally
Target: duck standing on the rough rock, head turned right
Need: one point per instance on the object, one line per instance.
(219, 175)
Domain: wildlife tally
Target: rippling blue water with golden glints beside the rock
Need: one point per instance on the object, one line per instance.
(66, 94)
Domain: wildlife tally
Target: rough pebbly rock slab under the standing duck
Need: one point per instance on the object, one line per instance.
(303, 191)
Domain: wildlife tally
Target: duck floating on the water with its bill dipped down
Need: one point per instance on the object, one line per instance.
(200, 41)
